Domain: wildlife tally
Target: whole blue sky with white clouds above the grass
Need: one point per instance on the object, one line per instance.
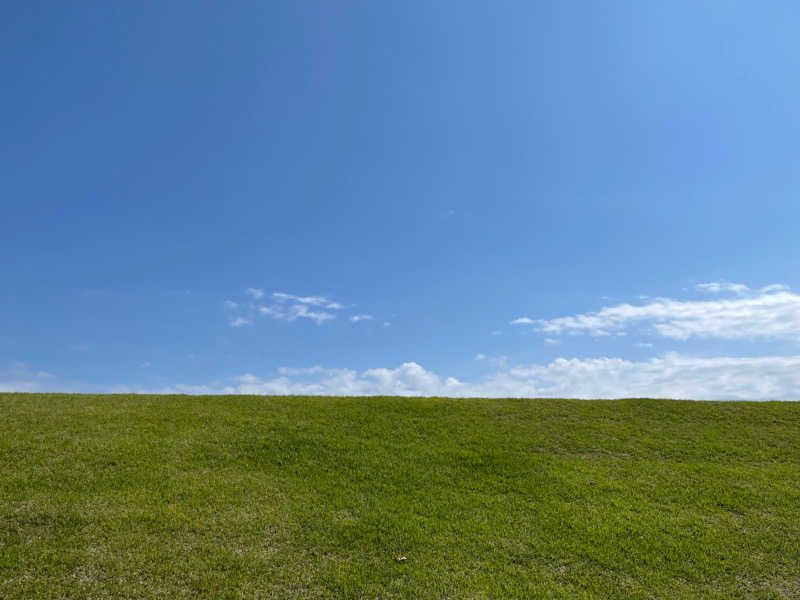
(578, 199)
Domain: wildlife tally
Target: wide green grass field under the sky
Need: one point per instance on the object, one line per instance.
(291, 497)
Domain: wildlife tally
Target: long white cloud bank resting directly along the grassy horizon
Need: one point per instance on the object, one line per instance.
(667, 376)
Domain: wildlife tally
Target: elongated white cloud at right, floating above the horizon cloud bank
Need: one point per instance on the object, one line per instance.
(772, 312)
